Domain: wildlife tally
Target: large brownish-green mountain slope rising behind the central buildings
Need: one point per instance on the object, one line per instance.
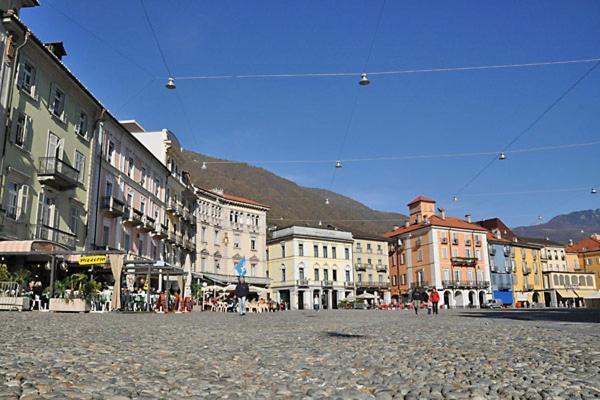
(294, 203)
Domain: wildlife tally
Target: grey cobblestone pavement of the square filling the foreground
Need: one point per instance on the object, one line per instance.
(336, 354)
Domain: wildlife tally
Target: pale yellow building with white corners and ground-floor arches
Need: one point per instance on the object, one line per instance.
(305, 263)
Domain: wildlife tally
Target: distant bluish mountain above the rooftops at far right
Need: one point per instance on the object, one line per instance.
(564, 227)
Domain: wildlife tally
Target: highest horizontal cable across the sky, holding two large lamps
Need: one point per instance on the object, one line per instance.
(392, 72)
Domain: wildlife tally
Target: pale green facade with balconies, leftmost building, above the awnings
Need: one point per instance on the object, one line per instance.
(47, 155)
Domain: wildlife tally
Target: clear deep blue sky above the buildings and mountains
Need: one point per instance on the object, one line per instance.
(306, 118)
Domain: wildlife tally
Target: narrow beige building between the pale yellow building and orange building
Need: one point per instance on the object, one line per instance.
(371, 269)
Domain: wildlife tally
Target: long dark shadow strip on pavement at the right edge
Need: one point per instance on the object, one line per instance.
(557, 315)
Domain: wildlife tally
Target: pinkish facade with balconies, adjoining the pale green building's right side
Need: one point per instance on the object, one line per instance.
(130, 211)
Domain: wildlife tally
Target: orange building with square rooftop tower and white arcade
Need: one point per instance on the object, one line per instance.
(433, 250)
